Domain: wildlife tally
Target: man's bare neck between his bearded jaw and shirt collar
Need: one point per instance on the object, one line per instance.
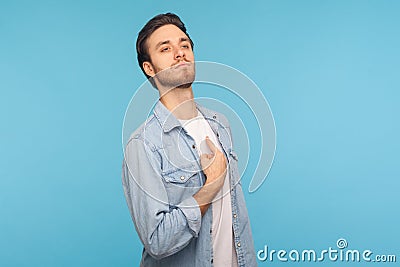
(180, 102)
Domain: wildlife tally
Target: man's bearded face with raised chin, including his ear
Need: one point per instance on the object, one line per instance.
(172, 58)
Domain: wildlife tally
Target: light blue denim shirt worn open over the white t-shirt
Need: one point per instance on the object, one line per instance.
(161, 173)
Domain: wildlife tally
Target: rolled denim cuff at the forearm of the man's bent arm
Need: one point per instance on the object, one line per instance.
(191, 210)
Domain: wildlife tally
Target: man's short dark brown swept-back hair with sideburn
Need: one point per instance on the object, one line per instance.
(150, 27)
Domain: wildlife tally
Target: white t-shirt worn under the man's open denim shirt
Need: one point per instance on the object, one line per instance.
(224, 253)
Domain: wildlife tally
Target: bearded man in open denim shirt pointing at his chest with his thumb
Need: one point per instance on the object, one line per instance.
(180, 173)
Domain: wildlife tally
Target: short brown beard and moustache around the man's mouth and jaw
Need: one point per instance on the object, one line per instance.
(176, 77)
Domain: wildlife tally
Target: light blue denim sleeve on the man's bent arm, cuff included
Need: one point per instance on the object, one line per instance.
(163, 229)
